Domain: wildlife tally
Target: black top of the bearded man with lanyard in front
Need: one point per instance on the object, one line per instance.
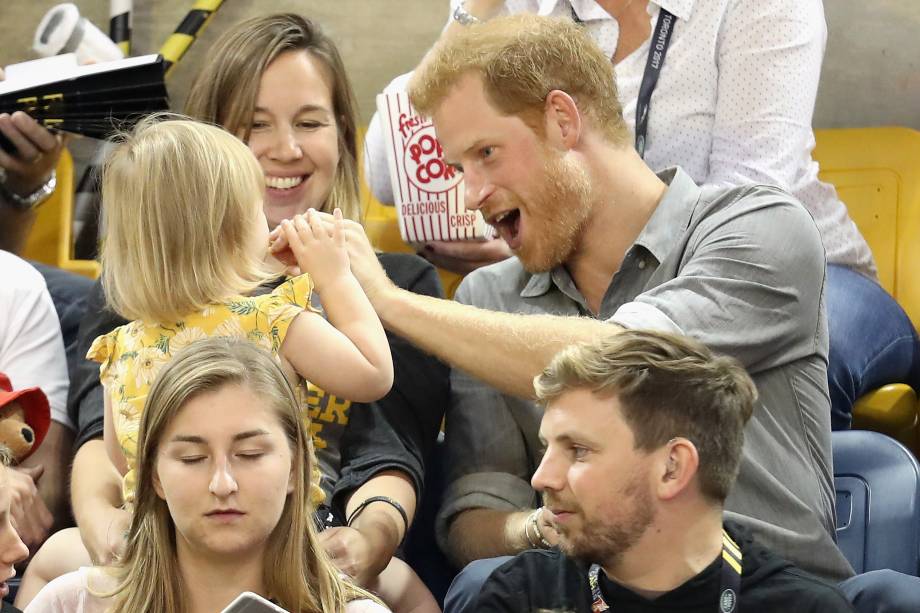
(548, 580)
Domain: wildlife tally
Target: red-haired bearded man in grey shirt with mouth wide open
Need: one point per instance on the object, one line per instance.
(526, 107)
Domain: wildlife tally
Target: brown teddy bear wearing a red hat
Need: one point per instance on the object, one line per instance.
(24, 419)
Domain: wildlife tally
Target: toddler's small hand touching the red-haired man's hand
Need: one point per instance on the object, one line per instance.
(315, 249)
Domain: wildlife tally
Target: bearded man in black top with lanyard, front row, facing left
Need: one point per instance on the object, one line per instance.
(643, 434)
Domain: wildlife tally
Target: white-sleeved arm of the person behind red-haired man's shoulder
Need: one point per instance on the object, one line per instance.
(769, 59)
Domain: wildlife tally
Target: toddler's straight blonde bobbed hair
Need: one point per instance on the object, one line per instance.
(181, 201)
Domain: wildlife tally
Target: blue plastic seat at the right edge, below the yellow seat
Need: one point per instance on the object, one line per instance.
(878, 502)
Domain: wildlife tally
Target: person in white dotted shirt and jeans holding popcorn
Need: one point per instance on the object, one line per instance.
(744, 118)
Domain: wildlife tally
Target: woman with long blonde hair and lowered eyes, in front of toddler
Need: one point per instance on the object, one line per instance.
(222, 503)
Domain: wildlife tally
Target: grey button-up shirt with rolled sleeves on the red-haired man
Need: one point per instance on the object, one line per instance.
(741, 270)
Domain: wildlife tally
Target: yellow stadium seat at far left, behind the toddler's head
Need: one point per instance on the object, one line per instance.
(51, 238)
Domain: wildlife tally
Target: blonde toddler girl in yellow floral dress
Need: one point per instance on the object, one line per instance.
(185, 244)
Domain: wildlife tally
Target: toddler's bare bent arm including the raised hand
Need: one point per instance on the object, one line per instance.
(349, 354)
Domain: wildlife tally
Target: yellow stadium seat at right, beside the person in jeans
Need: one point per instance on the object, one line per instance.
(877, 174)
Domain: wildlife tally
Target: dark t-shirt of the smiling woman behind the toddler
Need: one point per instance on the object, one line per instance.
(397, 432)
